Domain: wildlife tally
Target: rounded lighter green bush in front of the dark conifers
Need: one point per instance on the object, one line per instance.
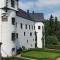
(51, 40)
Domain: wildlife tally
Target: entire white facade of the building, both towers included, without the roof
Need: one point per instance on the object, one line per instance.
(7, 28)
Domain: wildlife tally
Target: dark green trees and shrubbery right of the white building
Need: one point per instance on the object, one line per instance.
(52, 31)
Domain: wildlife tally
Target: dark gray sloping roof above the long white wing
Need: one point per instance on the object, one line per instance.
(37, 17)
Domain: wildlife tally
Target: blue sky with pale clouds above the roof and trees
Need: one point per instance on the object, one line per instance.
(47, 7)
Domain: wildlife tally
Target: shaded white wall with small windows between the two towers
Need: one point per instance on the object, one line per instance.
(22, 40)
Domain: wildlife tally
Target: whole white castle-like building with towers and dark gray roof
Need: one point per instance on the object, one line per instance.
(19, 29)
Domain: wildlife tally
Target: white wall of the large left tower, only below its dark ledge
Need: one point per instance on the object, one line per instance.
(6, 29)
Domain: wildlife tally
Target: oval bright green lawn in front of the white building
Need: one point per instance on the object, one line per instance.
(41, 54)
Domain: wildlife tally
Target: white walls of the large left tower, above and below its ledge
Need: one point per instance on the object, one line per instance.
(6, 29)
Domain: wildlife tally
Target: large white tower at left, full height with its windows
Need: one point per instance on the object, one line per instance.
(8, 10)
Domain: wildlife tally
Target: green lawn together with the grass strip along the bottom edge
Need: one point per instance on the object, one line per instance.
(38, 54)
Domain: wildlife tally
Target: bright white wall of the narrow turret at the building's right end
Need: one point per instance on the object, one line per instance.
(39, 33)
